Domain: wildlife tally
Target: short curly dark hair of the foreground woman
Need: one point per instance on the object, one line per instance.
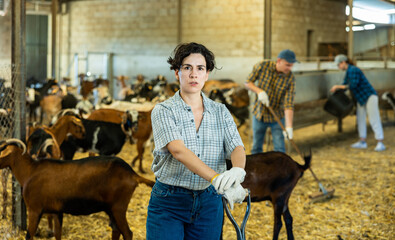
(183, 50)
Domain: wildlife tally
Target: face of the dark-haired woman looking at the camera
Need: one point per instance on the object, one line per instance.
(192, 74)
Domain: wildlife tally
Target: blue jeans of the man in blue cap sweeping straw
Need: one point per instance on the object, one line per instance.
(259, 131)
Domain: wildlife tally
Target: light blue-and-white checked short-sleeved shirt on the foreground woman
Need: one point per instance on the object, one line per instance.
(215, 140)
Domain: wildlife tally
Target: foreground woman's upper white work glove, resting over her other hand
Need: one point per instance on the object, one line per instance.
(224, 181)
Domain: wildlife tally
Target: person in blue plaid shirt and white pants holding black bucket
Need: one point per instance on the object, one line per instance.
(367, 102)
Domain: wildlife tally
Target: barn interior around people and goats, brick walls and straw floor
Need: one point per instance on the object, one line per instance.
(123, 41)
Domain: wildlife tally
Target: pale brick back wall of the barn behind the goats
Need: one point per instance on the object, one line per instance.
(141, 34)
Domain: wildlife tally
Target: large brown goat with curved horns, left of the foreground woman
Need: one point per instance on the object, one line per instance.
(78, 187)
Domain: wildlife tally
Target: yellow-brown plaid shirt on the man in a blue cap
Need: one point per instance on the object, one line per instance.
(279, 87)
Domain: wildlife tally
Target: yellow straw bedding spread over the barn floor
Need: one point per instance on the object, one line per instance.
(363, 206)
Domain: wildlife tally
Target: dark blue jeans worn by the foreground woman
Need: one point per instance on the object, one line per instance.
(176, 213)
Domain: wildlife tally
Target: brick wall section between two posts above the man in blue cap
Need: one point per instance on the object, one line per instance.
(291, 19)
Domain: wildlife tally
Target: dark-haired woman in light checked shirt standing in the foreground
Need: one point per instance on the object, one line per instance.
(193, 136)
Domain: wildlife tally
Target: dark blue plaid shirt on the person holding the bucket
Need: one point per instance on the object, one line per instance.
(358, 84)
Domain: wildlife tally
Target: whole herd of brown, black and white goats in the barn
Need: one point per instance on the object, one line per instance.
(54, 182)
